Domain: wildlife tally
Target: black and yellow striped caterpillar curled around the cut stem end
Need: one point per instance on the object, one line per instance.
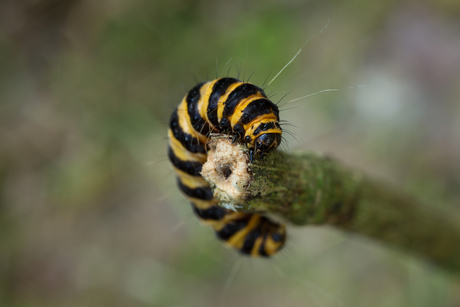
(239, 109)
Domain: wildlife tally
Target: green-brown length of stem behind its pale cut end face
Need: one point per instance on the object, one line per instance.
(309, 189)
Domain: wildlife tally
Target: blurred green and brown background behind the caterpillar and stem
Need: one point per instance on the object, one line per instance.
(89, 211)
